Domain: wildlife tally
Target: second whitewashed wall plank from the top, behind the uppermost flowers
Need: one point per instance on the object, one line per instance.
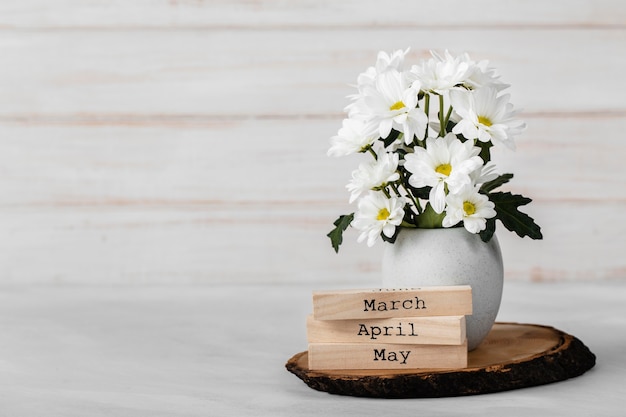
(278, 73)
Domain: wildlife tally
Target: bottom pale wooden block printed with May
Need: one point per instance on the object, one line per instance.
(329, 356)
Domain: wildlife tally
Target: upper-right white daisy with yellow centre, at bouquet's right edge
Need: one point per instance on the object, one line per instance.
(482, 115)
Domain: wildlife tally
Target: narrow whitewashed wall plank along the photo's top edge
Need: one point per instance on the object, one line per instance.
(255, 15)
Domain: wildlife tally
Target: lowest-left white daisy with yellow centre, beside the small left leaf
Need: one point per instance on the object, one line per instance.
(377, 214)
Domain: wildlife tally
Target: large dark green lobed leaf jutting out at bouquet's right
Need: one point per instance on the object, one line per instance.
(507, 212)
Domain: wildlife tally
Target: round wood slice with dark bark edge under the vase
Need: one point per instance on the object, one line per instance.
(512, 356)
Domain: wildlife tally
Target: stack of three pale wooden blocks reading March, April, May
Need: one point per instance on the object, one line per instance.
(389, 329)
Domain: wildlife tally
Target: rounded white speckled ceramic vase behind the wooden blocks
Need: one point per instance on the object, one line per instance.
(454, 256)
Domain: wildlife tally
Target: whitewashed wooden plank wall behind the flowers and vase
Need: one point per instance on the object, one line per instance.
(184, 141)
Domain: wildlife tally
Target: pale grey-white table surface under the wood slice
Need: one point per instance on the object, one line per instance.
(221, 351)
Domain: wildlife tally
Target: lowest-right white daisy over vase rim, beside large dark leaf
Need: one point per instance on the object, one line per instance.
(469, 206)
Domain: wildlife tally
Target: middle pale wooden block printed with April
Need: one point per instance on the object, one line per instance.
(441, 330)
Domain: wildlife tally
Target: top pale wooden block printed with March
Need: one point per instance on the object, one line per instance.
(384, 303)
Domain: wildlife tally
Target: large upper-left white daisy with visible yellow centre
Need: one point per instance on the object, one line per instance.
(392, 104)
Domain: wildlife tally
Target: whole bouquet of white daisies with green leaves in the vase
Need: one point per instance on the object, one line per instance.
(429, 130)
